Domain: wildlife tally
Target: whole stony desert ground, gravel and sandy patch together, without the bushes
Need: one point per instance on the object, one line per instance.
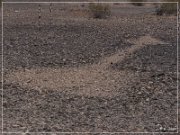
(68, 72)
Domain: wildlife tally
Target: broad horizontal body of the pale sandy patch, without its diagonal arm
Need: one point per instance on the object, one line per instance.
(81, 81)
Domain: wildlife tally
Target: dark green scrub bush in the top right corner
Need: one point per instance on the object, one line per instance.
(168, 8)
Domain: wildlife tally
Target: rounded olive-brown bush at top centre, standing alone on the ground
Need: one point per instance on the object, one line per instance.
(99, 10)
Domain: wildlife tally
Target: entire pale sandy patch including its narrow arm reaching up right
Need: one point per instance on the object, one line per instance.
(92, 80)
